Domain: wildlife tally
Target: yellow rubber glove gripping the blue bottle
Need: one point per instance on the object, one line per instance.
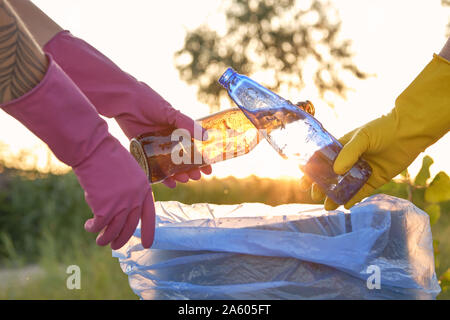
(389, 144)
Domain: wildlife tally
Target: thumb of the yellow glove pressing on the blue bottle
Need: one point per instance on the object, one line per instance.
(351, 152)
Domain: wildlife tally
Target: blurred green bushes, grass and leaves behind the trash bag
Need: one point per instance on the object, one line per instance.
(42, 217)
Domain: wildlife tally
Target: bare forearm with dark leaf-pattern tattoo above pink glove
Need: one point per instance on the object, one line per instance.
(22, 63)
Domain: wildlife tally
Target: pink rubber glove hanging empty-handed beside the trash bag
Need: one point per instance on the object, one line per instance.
(115, 186)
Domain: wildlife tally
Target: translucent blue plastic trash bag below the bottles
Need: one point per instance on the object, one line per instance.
(381, 249)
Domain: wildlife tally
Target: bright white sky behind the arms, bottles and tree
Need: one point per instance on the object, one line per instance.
(392, 39)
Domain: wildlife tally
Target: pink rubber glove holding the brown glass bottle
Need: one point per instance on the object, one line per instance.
(136, 107)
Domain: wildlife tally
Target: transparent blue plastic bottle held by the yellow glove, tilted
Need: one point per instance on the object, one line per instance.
(296, 135)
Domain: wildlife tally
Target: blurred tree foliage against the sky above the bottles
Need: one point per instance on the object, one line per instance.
(283, 36)
